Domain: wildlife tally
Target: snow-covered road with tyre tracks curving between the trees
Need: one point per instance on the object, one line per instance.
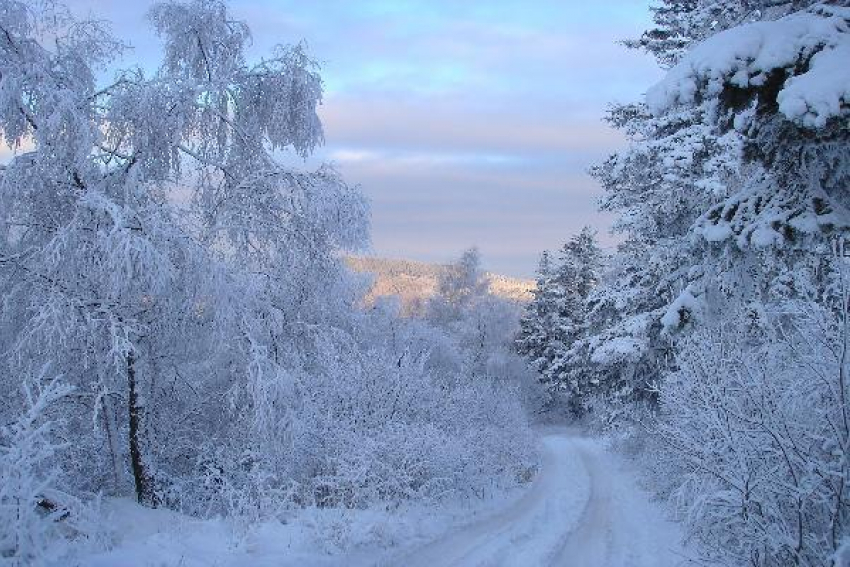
(583, 510)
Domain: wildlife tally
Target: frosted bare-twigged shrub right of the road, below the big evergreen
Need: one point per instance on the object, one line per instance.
(752, 437)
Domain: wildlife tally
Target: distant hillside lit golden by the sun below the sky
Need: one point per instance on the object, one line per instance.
(414, 282)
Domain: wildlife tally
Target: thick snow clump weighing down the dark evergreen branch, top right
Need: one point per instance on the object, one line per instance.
(745, 55)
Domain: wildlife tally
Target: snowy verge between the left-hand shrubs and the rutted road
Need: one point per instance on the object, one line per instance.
(330, 537)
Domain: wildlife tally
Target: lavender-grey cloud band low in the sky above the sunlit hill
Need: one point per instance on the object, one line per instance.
(433, 211)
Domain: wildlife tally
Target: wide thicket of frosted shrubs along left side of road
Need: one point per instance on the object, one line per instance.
(379, 413)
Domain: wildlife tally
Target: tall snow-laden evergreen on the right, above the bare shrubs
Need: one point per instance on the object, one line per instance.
(718, 193)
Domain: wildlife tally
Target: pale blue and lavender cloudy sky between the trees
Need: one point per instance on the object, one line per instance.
(465, 123)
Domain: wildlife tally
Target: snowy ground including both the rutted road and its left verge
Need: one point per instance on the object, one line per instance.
(583, 510)
